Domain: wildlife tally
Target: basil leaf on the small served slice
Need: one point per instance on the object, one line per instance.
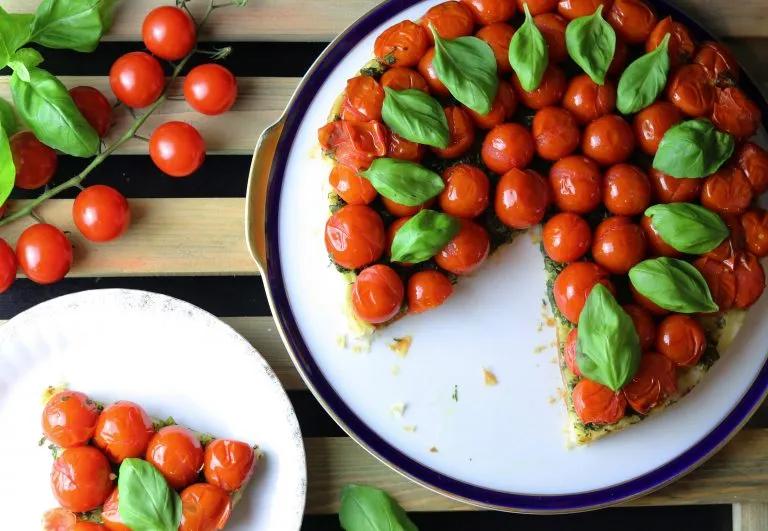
(146, 502)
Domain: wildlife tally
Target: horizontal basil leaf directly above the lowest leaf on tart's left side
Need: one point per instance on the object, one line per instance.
(403, 182)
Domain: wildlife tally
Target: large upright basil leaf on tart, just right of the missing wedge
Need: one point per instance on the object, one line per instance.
(608, 347)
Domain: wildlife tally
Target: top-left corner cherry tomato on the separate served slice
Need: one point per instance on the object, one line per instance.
(69, 419)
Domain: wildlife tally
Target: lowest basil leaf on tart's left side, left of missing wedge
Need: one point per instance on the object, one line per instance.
(423, 236)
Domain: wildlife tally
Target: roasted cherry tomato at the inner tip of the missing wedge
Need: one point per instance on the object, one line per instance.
(522, 198)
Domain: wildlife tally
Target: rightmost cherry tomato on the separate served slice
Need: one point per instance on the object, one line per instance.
(229, 464)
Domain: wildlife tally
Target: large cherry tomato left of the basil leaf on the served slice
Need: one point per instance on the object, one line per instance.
(81, 478)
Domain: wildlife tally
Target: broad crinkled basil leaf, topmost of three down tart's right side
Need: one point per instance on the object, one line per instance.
(693, 149)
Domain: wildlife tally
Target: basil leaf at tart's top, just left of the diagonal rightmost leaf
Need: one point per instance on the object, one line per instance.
(591, 43)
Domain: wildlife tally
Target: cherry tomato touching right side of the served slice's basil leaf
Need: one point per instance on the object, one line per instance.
(204, 507)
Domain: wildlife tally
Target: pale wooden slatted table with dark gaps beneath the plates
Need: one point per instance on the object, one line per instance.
(187, 241)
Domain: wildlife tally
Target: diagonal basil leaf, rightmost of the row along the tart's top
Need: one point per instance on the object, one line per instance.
(643, 80)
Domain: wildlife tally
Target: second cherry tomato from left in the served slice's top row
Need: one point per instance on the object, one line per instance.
(124, 430)
